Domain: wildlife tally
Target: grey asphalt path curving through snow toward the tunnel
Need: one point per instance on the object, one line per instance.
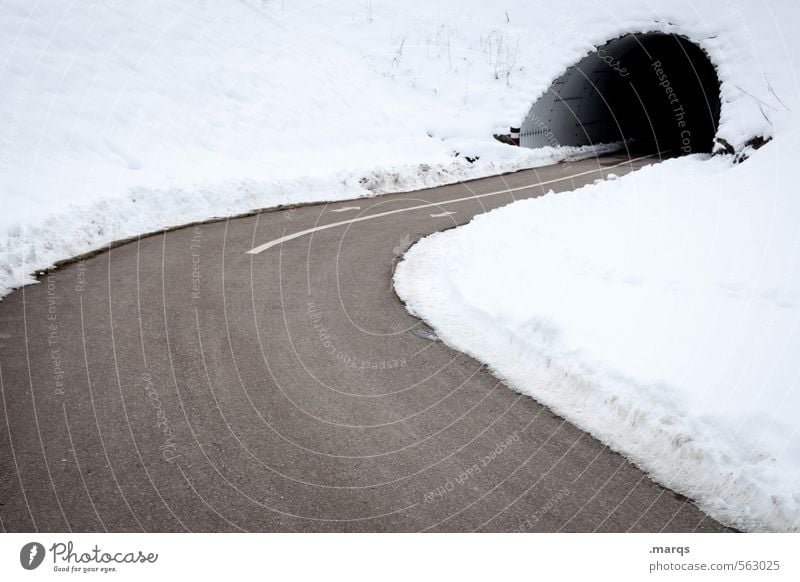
(179, 383)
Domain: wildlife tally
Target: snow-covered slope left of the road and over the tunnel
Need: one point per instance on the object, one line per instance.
(118, 118)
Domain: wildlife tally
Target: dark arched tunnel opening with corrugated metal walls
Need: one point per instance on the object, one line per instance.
(654, 92)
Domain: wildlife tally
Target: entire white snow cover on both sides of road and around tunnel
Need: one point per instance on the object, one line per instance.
(118, 118)
